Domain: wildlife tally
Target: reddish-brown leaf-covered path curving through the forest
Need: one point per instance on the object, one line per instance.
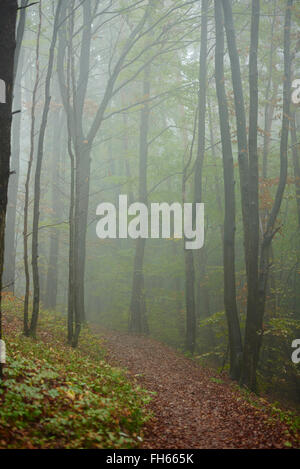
(191, 409)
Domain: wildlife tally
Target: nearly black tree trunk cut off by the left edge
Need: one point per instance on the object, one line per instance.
(8, 15)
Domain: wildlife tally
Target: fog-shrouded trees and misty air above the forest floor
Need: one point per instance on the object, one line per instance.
(162, 102)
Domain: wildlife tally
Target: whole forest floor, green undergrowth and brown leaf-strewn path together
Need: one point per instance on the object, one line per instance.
(53, 396)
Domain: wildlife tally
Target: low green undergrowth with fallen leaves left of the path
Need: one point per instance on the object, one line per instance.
(54, 396)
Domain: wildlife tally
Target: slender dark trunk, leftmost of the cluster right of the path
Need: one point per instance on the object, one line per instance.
(234, 332)
